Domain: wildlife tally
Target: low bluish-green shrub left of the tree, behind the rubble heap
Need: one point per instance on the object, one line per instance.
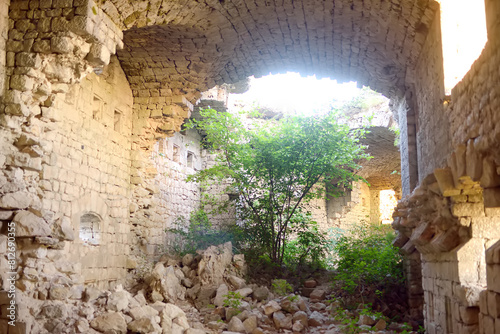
(198, 233)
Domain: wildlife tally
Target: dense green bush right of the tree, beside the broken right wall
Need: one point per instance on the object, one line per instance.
(367, 264)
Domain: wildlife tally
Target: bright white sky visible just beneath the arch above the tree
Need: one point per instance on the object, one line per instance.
(290, 92)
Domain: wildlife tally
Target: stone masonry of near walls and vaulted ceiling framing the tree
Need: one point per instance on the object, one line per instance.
(91, 88)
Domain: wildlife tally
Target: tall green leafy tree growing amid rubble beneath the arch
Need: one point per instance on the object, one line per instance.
(275, 166)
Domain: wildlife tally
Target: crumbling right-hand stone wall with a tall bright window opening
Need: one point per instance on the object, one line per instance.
(451, 219)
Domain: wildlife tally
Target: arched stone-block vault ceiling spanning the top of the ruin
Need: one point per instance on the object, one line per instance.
(184, 47)
